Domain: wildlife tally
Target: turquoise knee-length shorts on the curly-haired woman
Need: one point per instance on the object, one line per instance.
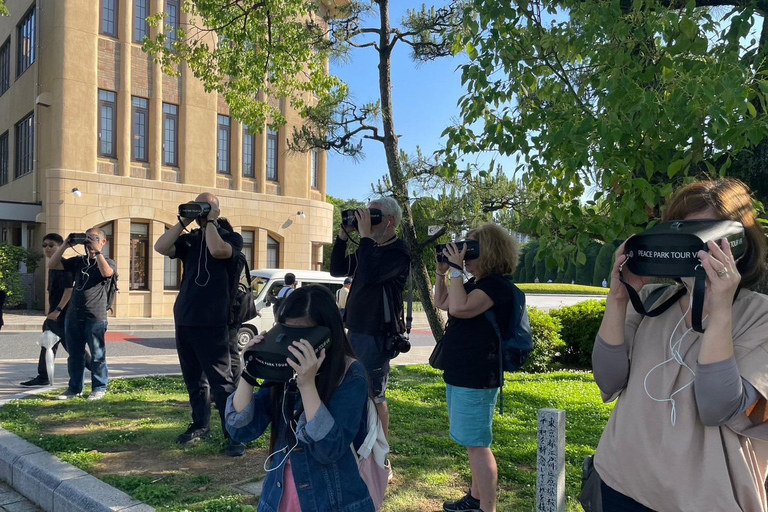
(470, 413)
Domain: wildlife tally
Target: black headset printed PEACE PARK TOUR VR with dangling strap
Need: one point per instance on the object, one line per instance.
(670, 250)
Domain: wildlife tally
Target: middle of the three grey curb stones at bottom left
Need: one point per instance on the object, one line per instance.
(38, 475)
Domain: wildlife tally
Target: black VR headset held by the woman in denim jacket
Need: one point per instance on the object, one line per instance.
(267, 360)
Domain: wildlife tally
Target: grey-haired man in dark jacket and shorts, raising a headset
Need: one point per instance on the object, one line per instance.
(374, 307)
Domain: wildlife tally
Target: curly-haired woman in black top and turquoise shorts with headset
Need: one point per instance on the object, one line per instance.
(470, 353)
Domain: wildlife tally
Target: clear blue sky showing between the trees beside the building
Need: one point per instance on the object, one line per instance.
(424, 97)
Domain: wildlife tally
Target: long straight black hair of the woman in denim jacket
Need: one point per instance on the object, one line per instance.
(317, 304)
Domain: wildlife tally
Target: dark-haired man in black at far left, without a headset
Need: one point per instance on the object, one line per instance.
(59, 293)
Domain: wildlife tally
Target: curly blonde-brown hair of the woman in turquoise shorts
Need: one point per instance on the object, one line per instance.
(499, 251)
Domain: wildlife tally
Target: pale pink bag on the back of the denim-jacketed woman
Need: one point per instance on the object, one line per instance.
(372, 458)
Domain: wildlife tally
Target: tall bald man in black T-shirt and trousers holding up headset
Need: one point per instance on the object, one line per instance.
(201, 312)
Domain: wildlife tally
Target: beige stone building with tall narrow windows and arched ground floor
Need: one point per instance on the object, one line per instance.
(92, 133)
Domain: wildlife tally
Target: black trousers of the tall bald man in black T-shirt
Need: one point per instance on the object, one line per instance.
(205, 365)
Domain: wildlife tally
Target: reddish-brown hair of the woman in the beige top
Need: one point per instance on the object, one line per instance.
(730, 199)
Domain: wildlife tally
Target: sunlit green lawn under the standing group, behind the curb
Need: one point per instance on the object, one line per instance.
(125, 438)
